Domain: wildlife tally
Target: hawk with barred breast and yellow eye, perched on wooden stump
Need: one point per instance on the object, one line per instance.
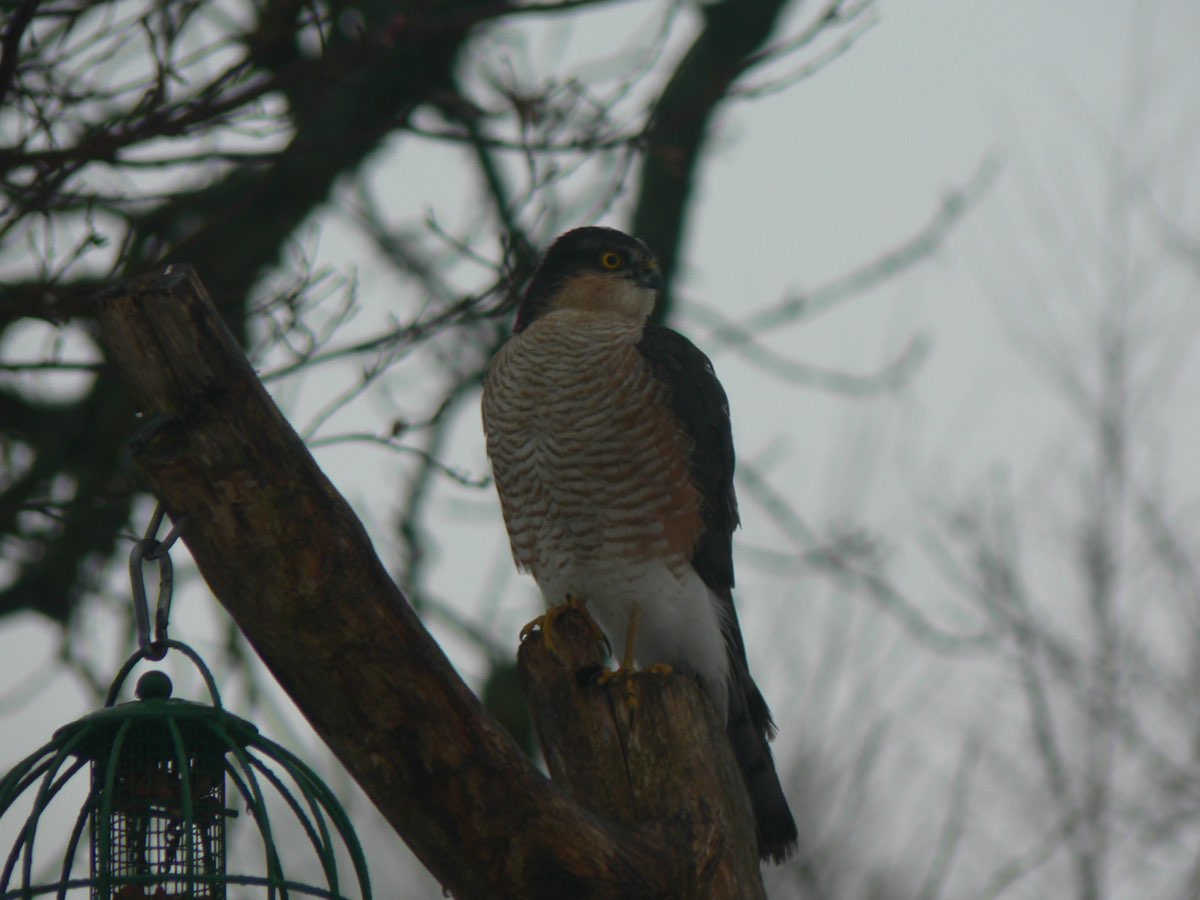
(613, 454)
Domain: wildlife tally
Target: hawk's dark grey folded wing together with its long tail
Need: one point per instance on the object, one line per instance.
(698, 401)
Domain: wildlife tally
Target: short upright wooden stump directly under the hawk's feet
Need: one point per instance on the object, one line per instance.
(643, 749)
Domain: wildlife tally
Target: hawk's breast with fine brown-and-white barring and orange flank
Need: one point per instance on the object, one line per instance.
(590, 464)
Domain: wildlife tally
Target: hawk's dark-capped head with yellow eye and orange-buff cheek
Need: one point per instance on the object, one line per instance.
(601, 271)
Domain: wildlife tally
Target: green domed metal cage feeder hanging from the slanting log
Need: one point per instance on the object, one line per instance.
(157, 812)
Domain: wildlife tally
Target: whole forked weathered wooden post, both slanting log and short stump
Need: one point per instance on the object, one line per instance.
(286, 556)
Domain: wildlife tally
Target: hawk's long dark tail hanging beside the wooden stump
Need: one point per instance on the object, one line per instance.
(751, 727)
